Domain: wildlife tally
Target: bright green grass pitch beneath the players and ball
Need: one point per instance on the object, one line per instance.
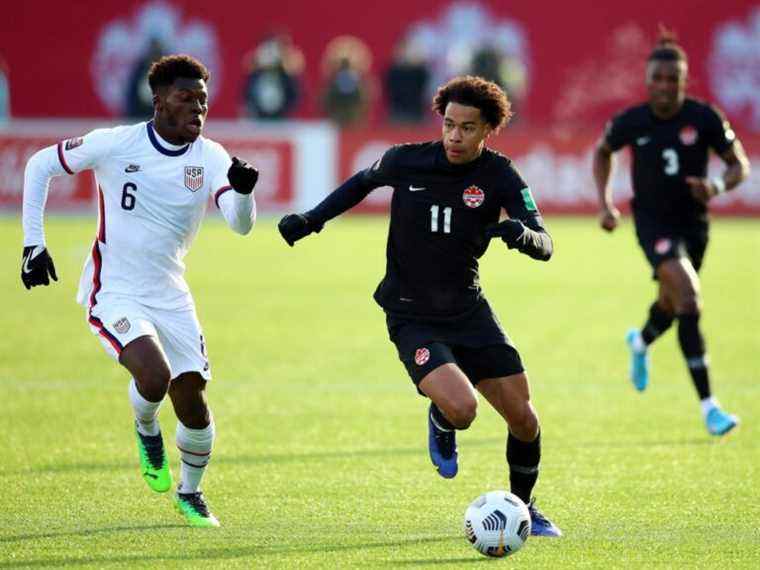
(321, 457)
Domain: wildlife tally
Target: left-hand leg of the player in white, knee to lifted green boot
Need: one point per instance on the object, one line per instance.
(147, 364)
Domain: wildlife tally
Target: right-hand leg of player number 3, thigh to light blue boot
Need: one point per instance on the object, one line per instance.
(679, 278)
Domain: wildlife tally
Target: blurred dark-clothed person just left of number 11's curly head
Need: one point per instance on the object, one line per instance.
(406, 83)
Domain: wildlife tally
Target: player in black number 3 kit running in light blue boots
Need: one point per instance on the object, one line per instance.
(670, 137)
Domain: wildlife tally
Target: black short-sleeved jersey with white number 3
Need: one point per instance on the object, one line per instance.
(666, 151)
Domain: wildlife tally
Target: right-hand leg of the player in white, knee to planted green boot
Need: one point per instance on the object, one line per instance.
(195, 440)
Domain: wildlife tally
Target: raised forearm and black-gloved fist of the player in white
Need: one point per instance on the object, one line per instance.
(238, 206)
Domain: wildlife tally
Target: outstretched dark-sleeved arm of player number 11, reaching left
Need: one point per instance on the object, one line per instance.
(294, 227)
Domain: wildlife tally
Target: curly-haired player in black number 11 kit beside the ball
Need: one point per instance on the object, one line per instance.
(448, 196)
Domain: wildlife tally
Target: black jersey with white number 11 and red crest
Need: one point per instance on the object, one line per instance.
(439, 212)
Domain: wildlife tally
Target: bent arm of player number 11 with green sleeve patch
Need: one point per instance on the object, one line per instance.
(525, 230)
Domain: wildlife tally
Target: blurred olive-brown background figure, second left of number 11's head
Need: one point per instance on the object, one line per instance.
(348, 85)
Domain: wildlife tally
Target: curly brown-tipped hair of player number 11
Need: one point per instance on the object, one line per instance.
(475, 92)
